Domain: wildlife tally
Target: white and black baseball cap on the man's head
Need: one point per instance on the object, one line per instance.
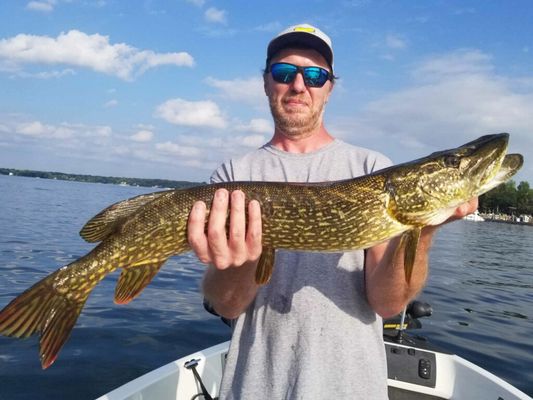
(302, 35)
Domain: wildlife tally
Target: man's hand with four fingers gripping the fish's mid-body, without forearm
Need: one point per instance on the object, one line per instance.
(223, 249)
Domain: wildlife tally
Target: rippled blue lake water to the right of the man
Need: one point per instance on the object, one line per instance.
(481, 290)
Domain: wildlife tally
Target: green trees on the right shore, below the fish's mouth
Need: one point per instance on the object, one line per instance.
(508, 199)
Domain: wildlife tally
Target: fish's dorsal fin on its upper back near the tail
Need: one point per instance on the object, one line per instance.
(108, 220)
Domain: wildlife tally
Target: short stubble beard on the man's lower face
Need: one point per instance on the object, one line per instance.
(295, 124)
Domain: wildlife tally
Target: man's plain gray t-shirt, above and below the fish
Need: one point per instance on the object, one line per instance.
(309, 333)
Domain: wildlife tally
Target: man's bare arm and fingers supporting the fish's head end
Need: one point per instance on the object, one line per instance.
(386, 289)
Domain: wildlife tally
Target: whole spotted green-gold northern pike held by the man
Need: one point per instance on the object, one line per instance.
(141, 233)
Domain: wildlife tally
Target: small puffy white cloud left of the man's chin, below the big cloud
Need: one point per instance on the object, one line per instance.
(191, 113)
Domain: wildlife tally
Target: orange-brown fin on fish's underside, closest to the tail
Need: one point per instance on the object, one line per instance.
(134, 279)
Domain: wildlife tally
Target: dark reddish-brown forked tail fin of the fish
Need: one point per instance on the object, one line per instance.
(43, 308)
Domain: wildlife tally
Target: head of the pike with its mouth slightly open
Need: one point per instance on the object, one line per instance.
(427, 191)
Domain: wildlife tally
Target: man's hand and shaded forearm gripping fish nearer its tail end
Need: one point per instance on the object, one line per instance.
(229, 282)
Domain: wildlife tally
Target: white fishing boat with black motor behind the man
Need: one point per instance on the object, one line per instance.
(416, 370)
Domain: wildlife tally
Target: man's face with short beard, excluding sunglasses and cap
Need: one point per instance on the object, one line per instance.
(297, 109)
